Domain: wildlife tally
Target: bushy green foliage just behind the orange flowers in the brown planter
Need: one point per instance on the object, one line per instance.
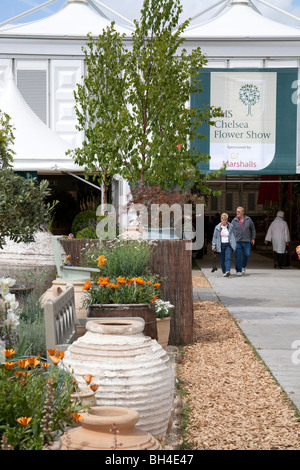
(127, 258)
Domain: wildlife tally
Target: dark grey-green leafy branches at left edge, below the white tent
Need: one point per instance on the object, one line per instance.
(22, 207)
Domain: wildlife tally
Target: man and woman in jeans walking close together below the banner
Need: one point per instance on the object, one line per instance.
(237, 236)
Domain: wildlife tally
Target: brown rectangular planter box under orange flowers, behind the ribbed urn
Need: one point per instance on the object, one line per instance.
(127, 310)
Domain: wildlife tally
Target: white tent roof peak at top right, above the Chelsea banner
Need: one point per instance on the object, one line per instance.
(241, 20)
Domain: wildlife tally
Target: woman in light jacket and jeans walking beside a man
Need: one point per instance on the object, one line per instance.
(223, 242)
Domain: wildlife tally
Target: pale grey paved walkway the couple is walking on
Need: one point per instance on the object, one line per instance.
(266, 304)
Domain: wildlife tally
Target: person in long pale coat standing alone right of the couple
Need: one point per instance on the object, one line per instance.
(278, 233)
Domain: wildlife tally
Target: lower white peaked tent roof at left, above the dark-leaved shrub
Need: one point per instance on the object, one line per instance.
(36, 146)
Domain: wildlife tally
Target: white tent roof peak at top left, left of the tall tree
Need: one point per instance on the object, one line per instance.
(76, 18)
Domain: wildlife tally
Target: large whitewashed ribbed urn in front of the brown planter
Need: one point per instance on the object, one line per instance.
(131, 370)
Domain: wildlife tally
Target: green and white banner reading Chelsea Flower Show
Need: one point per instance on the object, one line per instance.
(257, 133)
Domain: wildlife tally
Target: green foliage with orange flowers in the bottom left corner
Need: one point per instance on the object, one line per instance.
(27, 389)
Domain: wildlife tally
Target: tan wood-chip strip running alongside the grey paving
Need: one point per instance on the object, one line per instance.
(235, 402)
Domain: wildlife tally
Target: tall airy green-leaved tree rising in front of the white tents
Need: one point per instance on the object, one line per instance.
(132, 104)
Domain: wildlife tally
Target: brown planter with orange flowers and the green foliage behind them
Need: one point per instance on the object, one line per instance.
(126, 287)
